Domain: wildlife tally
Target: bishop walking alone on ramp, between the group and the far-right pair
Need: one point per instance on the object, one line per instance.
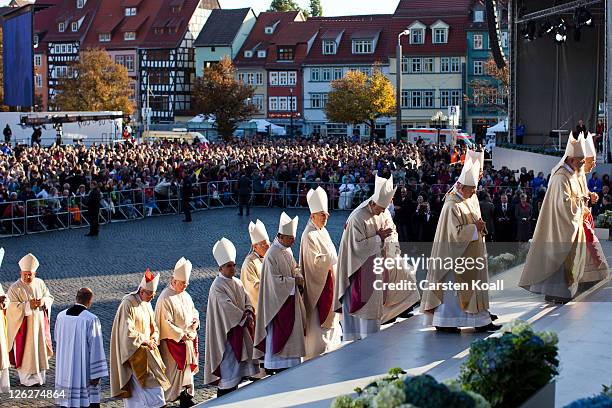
(459, 256)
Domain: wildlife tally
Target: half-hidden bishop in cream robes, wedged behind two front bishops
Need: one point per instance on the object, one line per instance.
(250, 273)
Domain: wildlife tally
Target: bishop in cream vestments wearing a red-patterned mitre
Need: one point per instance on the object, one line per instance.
(137, 370)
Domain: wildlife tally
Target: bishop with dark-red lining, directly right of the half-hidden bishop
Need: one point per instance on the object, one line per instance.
(281, 317)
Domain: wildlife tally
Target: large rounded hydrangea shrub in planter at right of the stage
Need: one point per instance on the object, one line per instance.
(508, 369)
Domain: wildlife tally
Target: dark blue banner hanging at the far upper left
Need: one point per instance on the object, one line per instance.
(18, 60)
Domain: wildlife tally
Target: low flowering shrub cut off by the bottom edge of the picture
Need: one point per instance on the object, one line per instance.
(402, 391)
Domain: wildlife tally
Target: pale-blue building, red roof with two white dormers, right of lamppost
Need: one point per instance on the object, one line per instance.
(434, 57)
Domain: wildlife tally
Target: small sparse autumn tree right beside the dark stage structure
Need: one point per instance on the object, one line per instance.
(492, 91)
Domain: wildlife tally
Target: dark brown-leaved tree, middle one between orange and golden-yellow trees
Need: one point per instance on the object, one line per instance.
(220, 94)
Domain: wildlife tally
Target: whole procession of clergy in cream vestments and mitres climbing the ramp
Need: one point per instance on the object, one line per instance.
(290, 303)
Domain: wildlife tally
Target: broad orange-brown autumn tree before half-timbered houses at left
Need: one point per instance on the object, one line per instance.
(94, 83)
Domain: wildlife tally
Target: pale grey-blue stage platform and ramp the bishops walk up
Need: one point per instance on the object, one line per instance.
(584, 328)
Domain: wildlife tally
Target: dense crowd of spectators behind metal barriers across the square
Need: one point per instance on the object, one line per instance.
(147, 177)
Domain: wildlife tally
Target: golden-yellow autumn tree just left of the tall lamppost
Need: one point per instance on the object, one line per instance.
(359, 98)
